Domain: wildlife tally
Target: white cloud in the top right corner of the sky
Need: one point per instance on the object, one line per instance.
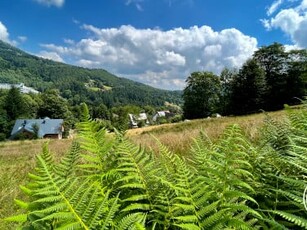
(292, 21)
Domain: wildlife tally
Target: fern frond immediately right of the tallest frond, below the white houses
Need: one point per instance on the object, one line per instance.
(135, 181)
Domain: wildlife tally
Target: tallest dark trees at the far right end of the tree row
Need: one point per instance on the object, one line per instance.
(284, 74)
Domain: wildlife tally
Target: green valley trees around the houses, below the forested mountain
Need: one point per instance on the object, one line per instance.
(15, 105)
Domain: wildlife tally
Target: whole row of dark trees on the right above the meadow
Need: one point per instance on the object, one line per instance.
(271, 78)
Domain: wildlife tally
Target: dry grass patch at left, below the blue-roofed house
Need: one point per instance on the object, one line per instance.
(17, 158)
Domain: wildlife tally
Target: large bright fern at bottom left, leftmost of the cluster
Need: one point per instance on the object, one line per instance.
(61, 202)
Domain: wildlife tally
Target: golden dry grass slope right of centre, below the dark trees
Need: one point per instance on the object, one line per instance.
(178, 137)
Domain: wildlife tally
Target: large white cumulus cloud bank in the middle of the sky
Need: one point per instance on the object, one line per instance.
(159, 58)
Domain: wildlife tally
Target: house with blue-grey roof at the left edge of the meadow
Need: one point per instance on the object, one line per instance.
(43, 128)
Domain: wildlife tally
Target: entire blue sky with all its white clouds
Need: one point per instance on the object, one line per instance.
(157, 42)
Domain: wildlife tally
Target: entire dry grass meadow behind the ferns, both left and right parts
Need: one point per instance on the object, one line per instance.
(18, 158)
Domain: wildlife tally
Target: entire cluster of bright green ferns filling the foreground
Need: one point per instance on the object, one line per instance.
(106, 182)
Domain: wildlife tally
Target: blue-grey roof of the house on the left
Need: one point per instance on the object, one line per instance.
(45, 126)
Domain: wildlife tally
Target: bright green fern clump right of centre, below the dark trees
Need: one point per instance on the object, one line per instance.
(226, 170)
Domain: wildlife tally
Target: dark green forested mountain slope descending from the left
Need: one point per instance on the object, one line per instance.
(93, 86)
